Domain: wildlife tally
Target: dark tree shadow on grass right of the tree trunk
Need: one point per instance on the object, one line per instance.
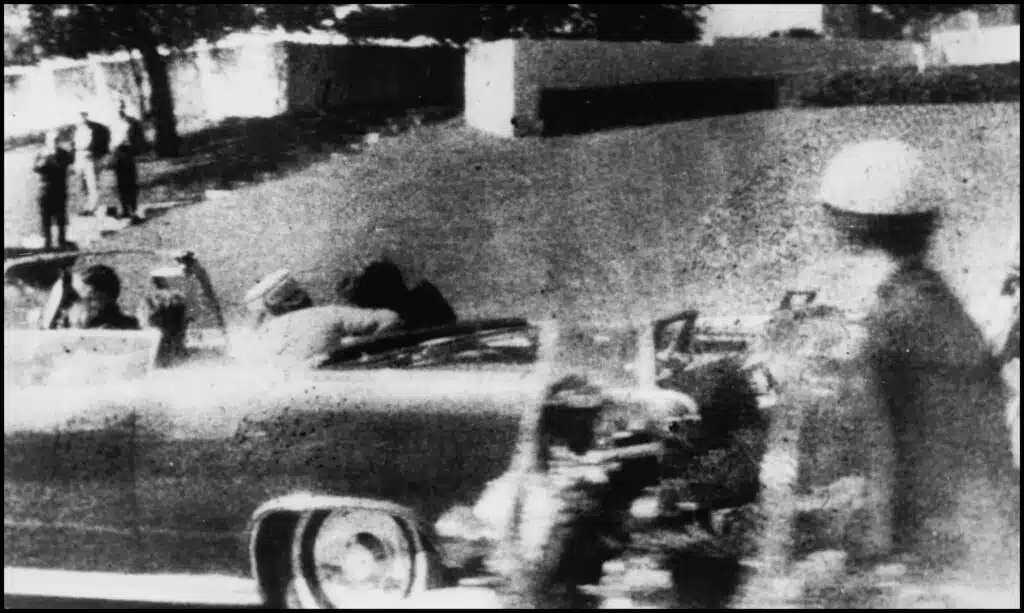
(246, 151)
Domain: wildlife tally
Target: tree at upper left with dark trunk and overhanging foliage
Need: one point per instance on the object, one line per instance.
(76, 30)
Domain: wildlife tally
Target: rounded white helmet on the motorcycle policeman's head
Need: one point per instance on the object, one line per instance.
(878, 178)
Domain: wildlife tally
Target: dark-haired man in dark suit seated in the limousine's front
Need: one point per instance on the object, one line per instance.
(96, 308)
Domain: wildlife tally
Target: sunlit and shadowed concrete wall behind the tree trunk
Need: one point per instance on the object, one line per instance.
(257, 79)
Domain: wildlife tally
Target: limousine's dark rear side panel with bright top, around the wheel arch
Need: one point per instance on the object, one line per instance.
(216, 449)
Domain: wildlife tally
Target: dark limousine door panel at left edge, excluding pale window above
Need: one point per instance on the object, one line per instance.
(70, 498)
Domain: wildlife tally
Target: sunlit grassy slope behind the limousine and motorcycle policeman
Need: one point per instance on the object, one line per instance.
(714, 213)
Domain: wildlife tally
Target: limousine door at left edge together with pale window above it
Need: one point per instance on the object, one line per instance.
(70, 448)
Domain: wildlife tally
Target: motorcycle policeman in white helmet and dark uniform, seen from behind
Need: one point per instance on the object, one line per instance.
(927, 361)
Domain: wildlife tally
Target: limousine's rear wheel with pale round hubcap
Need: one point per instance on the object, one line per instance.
(352, 558)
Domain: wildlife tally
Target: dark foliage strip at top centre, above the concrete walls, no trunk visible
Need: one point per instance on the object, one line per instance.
(457, 25)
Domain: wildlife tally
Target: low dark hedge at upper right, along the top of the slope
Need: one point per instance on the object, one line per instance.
(992, 83)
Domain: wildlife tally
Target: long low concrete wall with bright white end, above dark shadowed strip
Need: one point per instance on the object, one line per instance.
(505, 80)
